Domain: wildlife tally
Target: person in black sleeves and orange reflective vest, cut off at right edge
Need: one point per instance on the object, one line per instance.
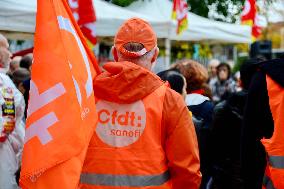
(262, 144)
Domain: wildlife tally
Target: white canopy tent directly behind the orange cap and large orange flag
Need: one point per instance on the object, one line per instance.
(19, 16)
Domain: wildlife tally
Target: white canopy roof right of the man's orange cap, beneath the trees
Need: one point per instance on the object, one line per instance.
(199, 28)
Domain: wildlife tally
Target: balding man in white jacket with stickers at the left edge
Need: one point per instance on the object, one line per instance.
(11, 121)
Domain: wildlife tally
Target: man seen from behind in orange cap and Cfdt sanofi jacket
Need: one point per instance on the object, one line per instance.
(145, 137)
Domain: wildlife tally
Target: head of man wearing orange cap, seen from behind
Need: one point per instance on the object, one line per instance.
(136, 42)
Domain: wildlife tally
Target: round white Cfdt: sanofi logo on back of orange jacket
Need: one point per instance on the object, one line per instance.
(120, 125)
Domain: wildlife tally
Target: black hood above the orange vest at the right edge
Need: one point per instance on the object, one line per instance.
(275, 69)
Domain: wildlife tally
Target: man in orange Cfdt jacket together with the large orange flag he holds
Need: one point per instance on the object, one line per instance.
(137, 139)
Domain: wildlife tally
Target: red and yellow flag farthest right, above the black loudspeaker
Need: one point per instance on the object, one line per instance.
(250, 17)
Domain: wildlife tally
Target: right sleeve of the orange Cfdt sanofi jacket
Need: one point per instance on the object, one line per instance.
(181, 145)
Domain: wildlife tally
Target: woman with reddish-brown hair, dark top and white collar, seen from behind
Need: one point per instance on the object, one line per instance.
(199, 103)
